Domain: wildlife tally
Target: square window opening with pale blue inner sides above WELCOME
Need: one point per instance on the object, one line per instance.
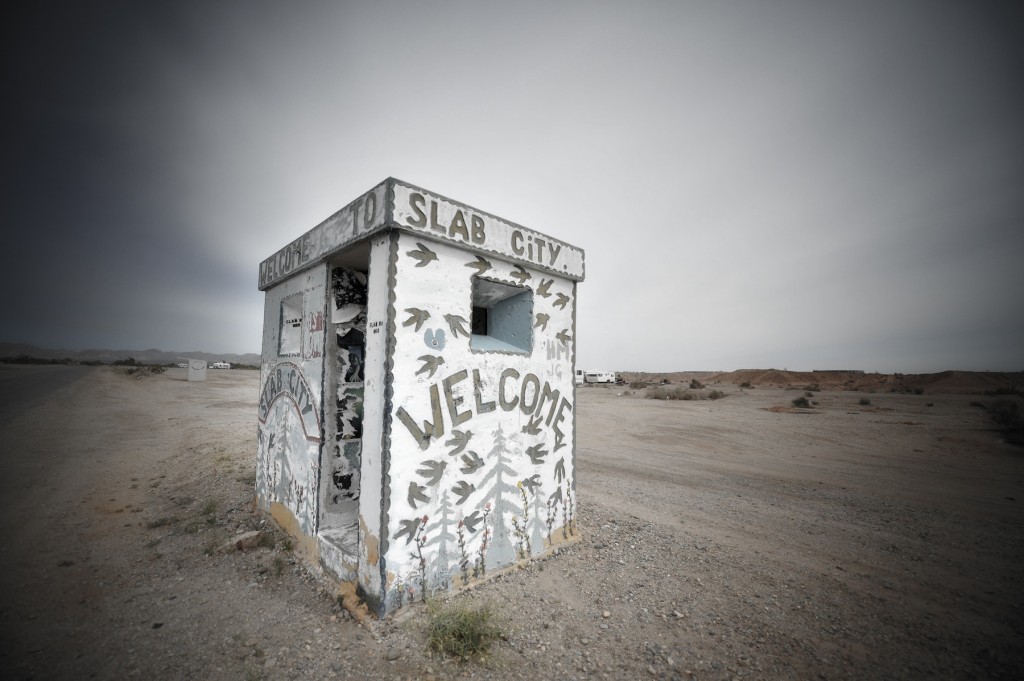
(502, 319)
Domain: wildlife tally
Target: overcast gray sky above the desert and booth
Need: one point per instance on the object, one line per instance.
(766, 184)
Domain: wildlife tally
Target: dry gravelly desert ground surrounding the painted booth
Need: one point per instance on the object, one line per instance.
(738, 538)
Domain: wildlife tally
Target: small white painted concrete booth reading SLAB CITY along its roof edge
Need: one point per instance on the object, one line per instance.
(417, 424)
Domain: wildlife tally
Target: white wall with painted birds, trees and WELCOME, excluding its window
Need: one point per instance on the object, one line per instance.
(483, 444)
